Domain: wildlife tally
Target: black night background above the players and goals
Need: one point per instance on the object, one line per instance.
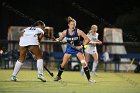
(123, 14)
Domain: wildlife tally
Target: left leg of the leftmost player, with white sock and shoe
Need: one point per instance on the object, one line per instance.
(19, 63)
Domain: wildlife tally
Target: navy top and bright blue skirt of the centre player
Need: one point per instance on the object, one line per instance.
(74, 40)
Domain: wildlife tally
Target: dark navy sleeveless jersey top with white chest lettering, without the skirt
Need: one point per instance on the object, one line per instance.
(73, 39)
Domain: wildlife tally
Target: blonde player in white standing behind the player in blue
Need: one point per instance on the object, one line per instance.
(91, 47)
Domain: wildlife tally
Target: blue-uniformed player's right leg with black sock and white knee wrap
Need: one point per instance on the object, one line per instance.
(85, 66)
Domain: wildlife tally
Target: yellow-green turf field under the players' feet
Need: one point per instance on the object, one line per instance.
(72, 82)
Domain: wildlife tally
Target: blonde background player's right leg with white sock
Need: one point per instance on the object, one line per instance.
(95, 63)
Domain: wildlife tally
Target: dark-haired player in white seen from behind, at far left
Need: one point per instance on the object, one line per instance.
(29, 41)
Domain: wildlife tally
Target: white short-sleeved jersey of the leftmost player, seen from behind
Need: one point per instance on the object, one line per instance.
(30, 36)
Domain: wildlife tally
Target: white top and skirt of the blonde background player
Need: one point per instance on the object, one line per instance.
(91, 49)
